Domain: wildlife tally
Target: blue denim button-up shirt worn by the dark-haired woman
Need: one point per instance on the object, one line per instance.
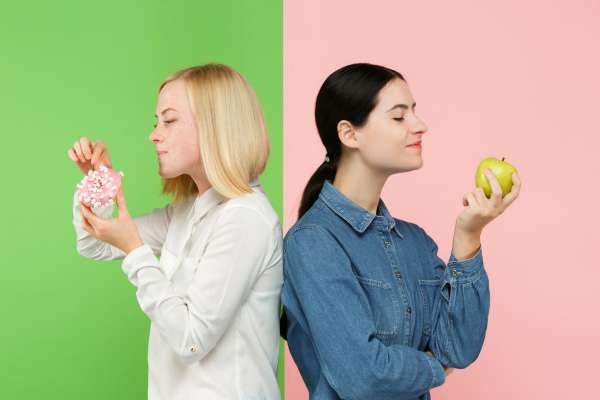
(366, 295)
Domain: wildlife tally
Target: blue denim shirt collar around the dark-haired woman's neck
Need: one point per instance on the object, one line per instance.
(358, 217)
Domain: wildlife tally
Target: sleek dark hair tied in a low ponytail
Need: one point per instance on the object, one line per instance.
(350, 94)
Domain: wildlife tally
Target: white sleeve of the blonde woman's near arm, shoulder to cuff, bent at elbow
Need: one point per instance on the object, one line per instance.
(237, 253)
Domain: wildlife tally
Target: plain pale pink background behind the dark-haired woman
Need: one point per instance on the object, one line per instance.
(514, 79)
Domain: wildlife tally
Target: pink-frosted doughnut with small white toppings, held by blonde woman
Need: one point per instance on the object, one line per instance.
(99, 187)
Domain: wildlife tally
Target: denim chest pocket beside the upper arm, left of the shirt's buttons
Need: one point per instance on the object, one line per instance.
(385, 306)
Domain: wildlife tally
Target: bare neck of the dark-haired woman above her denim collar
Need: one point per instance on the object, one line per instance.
(358, 183)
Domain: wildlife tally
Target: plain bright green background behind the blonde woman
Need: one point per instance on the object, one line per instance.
(71, 327)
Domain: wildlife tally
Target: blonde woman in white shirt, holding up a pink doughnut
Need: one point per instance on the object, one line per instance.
(208, 266)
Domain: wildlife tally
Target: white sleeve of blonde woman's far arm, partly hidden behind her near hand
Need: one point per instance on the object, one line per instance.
(152, 228)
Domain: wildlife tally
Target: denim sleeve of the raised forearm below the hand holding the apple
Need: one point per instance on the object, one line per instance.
(460, 315)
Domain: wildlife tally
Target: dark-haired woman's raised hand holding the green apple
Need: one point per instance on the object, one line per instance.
(480, 210)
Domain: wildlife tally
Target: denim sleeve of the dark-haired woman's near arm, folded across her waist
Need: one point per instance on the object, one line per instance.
(341, 325)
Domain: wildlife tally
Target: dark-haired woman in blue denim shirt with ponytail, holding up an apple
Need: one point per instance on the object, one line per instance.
(372, 311)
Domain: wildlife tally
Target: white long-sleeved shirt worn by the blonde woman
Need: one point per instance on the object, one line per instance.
(212, 298)
